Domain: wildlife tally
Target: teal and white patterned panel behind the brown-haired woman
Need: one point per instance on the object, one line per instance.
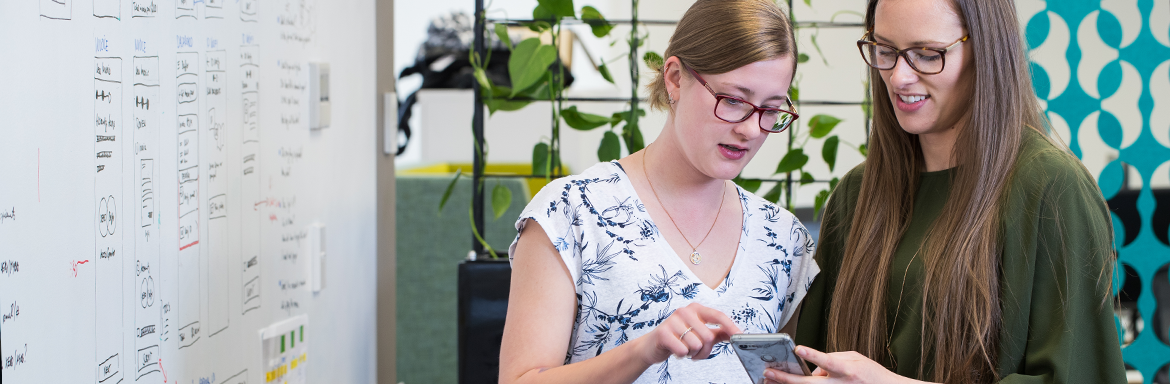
(1103, 70)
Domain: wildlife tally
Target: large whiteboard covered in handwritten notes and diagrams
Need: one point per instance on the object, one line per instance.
(159, 181)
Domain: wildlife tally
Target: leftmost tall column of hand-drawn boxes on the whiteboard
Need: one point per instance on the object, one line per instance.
(107, 194)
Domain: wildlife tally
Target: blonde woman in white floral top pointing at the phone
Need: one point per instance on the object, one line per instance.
(639, 271)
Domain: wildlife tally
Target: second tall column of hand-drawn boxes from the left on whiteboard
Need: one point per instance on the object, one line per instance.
(148, 242)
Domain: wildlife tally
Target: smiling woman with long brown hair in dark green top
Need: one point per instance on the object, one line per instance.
(969, 248)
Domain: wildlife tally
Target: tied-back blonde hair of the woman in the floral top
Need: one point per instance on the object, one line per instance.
(717, 37)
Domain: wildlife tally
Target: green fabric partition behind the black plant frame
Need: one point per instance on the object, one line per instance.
(431, 245)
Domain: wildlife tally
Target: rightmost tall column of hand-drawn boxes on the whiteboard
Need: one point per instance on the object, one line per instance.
(250, 177)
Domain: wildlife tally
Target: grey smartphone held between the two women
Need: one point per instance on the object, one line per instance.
(759, 352)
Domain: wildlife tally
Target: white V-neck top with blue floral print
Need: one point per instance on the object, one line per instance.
(629, 279)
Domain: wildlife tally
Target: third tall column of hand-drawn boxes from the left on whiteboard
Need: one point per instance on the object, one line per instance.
(188, 111)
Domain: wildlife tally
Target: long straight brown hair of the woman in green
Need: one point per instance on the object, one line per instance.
(961, 301)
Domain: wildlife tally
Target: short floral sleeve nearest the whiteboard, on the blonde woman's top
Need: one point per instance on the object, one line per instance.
(553, 209)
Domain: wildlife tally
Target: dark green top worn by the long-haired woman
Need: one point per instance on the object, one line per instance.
(1055, 327)
